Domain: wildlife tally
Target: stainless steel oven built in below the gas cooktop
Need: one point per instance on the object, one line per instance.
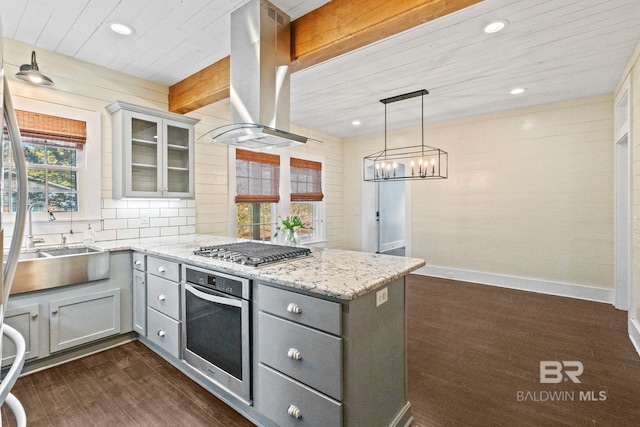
(216, 328)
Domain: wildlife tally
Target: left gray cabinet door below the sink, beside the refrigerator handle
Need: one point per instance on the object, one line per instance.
(26, 321)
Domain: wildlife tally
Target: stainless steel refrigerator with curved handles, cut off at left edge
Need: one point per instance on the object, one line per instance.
(8, 120)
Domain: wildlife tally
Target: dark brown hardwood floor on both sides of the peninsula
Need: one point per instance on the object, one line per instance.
(471, 350)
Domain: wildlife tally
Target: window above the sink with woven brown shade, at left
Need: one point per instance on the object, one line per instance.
(52, 147)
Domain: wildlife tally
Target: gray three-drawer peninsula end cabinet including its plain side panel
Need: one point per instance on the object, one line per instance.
(330, 363)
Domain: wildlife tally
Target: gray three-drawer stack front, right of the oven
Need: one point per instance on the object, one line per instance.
(299, 348)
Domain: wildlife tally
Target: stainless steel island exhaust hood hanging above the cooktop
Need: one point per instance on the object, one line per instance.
(259, 89)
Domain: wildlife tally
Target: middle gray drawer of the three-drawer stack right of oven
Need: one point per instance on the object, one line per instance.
(320, 354)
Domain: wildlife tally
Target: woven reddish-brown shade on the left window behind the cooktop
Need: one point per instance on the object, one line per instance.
(257, 177)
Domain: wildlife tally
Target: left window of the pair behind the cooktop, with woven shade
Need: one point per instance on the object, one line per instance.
(257, 194)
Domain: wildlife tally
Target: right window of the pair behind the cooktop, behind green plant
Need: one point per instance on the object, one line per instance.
(306, 195)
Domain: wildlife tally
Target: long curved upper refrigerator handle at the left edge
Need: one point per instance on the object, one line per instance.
(21, 199)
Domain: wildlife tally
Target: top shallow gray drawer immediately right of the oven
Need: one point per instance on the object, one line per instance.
(310, 311)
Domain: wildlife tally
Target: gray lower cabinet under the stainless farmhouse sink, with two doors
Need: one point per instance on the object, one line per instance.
(55, 320)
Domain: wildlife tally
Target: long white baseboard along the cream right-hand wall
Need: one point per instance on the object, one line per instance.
(589, 293)
